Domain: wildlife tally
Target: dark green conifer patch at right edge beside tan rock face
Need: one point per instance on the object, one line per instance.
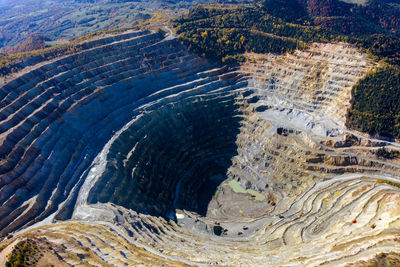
(375, 103)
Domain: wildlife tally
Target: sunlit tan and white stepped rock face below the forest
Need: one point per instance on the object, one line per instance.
(316, 81)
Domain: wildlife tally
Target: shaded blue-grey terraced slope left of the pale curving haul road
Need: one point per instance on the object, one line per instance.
(55, 119)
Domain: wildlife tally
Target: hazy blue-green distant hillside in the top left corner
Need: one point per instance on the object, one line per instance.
(60, 20)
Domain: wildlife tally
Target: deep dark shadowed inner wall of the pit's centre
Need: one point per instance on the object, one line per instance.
(172, 157)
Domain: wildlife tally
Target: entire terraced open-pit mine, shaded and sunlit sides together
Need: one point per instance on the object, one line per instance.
(143, 144)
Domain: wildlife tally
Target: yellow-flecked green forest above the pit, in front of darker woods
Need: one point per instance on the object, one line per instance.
(221, 33)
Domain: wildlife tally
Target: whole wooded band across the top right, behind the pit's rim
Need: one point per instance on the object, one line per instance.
(280, 26)
